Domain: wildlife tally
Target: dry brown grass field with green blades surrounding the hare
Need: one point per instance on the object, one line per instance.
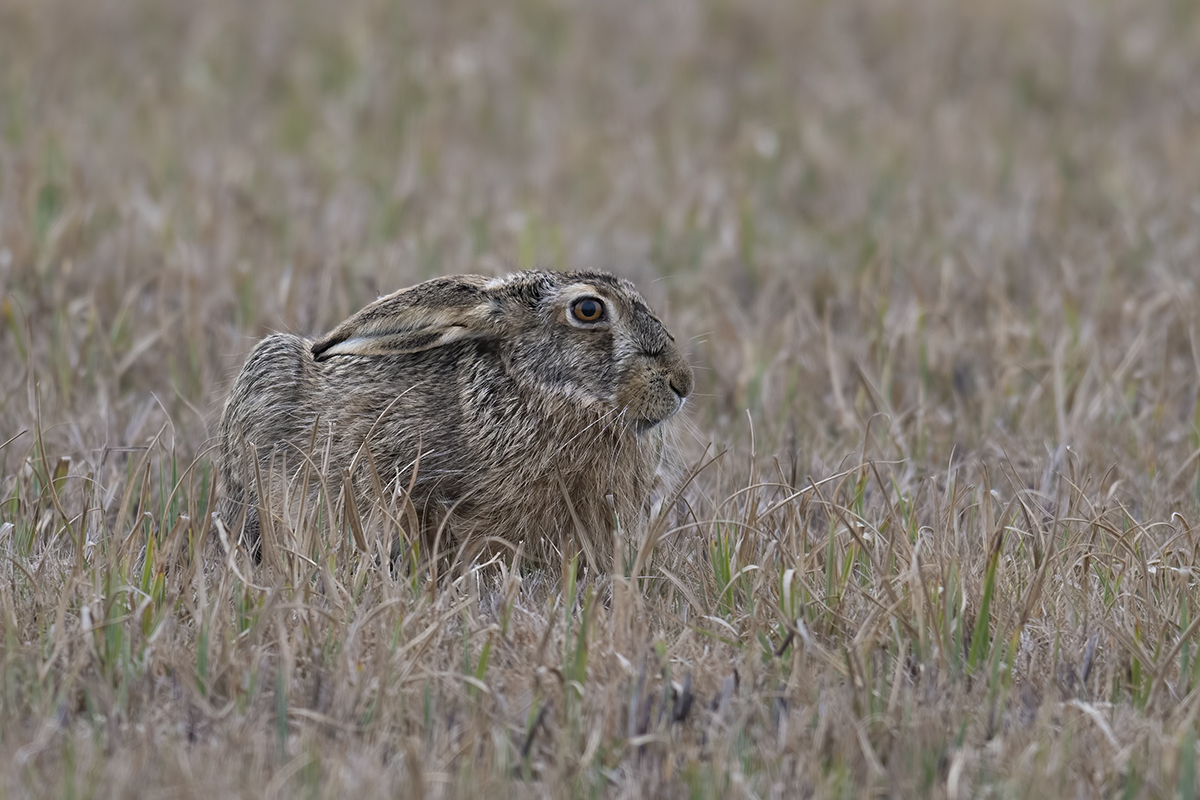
(938, 268)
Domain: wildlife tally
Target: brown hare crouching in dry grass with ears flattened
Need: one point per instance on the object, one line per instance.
(524, 408)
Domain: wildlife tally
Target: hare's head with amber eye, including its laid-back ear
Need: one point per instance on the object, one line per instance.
(581, 339)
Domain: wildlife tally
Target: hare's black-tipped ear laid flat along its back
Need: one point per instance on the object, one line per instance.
(422, 318)
